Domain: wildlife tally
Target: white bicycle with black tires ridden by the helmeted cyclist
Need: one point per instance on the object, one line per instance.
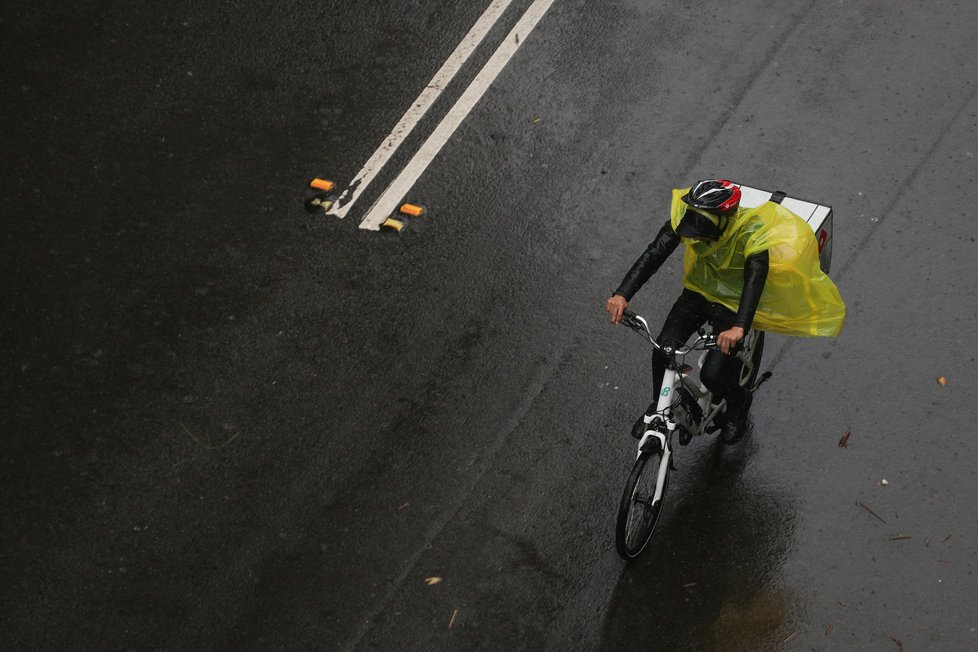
(685, 407)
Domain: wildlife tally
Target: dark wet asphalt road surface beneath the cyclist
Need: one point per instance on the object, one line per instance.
(230, 424)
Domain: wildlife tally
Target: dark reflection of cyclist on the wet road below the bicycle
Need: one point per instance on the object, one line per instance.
(711, 577)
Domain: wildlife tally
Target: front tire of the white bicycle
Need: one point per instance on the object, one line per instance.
(632, 535)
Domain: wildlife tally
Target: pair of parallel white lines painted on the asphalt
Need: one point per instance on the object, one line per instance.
(389, 200)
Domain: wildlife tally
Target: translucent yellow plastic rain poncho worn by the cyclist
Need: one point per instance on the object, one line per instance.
(798, 298)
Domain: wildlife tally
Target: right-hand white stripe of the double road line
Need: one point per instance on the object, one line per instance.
(384, 206)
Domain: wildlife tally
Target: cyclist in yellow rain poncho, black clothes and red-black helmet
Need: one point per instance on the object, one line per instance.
(731, 257)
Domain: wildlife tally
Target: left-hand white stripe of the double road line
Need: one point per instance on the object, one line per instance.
(419, 107)
